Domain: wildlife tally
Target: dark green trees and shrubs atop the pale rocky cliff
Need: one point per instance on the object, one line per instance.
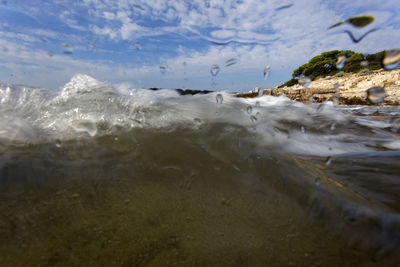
(326, 64)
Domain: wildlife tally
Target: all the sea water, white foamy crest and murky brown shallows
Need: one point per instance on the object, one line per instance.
(93, 173)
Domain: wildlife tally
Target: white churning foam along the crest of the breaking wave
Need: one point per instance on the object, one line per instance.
(87, 107)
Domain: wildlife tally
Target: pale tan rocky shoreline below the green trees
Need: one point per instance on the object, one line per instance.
(342, 88)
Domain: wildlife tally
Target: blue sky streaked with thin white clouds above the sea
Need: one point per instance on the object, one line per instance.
(175, 43)
